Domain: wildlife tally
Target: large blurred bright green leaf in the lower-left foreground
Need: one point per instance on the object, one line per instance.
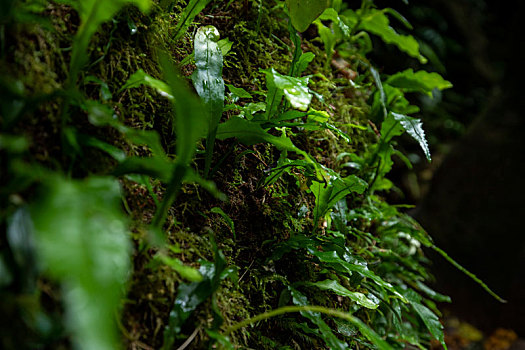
(83, 241)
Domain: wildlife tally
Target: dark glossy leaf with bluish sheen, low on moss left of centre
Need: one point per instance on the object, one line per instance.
(189, 296)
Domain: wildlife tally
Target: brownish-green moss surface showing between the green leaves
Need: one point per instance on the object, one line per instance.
(36, 57)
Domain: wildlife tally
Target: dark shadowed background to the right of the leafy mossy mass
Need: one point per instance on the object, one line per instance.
(471, 199)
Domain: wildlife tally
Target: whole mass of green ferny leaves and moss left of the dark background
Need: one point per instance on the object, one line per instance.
(209, 174)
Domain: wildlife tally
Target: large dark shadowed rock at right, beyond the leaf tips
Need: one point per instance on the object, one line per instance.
(476, 211)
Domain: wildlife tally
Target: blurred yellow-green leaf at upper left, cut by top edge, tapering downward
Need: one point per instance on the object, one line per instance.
(92, 14)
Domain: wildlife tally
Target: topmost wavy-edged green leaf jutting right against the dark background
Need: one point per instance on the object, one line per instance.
(376, 22)
